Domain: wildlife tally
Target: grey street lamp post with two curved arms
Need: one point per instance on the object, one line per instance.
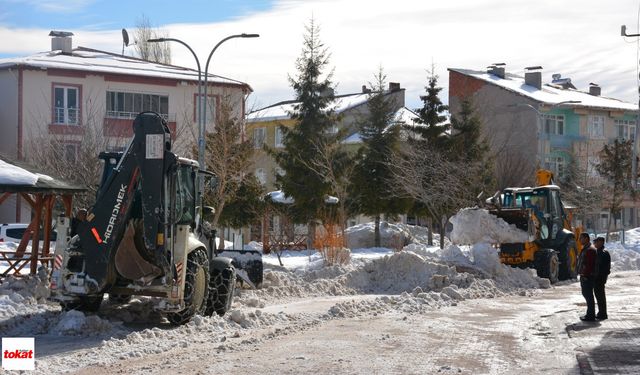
(200, 109)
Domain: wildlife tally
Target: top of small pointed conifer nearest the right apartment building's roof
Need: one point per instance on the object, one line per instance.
(432, 114)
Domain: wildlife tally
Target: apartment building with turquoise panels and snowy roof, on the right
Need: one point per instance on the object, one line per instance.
(530, 123)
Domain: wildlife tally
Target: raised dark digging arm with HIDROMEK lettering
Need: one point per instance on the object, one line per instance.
(135, 187)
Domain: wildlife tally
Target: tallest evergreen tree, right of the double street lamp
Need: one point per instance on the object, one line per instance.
(314, 120)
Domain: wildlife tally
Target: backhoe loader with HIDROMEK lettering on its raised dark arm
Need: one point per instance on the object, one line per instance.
(144, 235)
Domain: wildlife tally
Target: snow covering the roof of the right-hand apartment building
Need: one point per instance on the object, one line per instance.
(549, 94)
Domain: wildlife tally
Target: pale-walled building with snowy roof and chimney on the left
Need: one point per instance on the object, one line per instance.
(65, 91)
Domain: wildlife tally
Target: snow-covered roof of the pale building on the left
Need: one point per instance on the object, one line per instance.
(90, 60)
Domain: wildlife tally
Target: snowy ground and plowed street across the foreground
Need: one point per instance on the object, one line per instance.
(383, 301)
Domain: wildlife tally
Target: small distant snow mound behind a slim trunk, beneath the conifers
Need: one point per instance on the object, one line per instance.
(393, 236)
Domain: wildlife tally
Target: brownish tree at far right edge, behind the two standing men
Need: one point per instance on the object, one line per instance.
(615, 167)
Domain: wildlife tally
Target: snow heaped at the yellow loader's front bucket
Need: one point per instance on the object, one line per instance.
(473, 225)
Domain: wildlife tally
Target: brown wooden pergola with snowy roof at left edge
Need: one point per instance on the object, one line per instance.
(41, 197)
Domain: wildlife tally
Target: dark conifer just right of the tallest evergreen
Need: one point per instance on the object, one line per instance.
(380, 140)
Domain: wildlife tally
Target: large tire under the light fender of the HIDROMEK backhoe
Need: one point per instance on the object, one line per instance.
(196, 288)
